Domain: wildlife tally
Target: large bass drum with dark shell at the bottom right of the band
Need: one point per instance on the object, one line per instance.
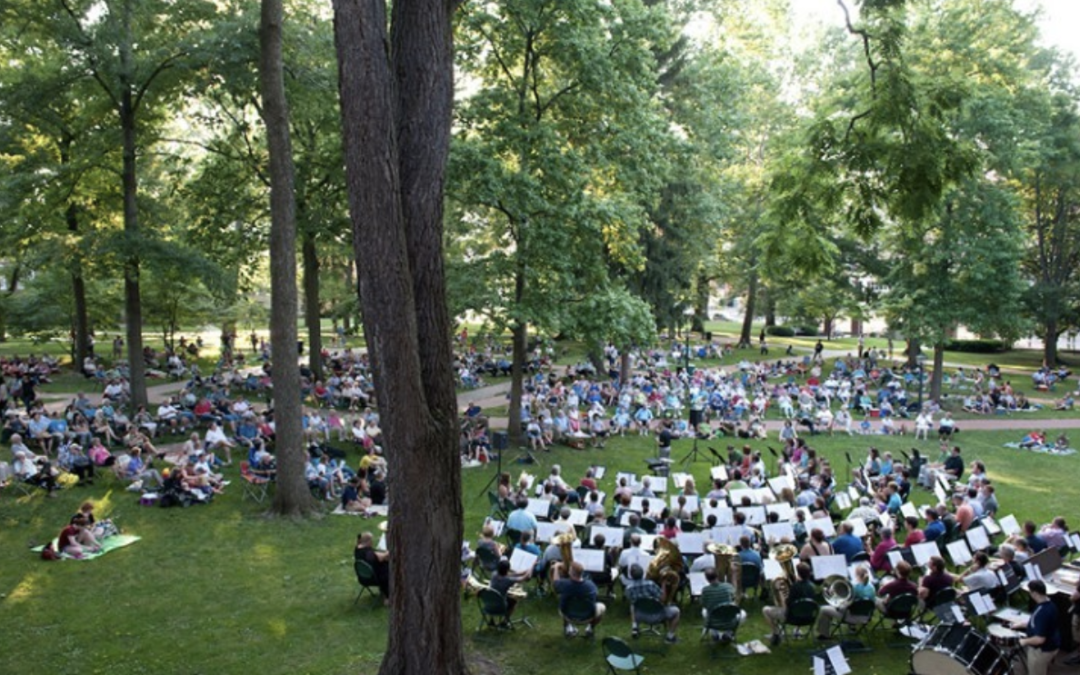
(957, 650)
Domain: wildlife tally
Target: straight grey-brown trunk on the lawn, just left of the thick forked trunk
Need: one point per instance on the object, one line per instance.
(292, 496)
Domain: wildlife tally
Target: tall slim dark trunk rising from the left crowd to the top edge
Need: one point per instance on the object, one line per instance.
(133, 302)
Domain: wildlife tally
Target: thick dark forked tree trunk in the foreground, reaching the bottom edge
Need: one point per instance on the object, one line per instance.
(397, 119)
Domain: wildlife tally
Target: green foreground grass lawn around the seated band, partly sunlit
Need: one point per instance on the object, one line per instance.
(221, 589)
